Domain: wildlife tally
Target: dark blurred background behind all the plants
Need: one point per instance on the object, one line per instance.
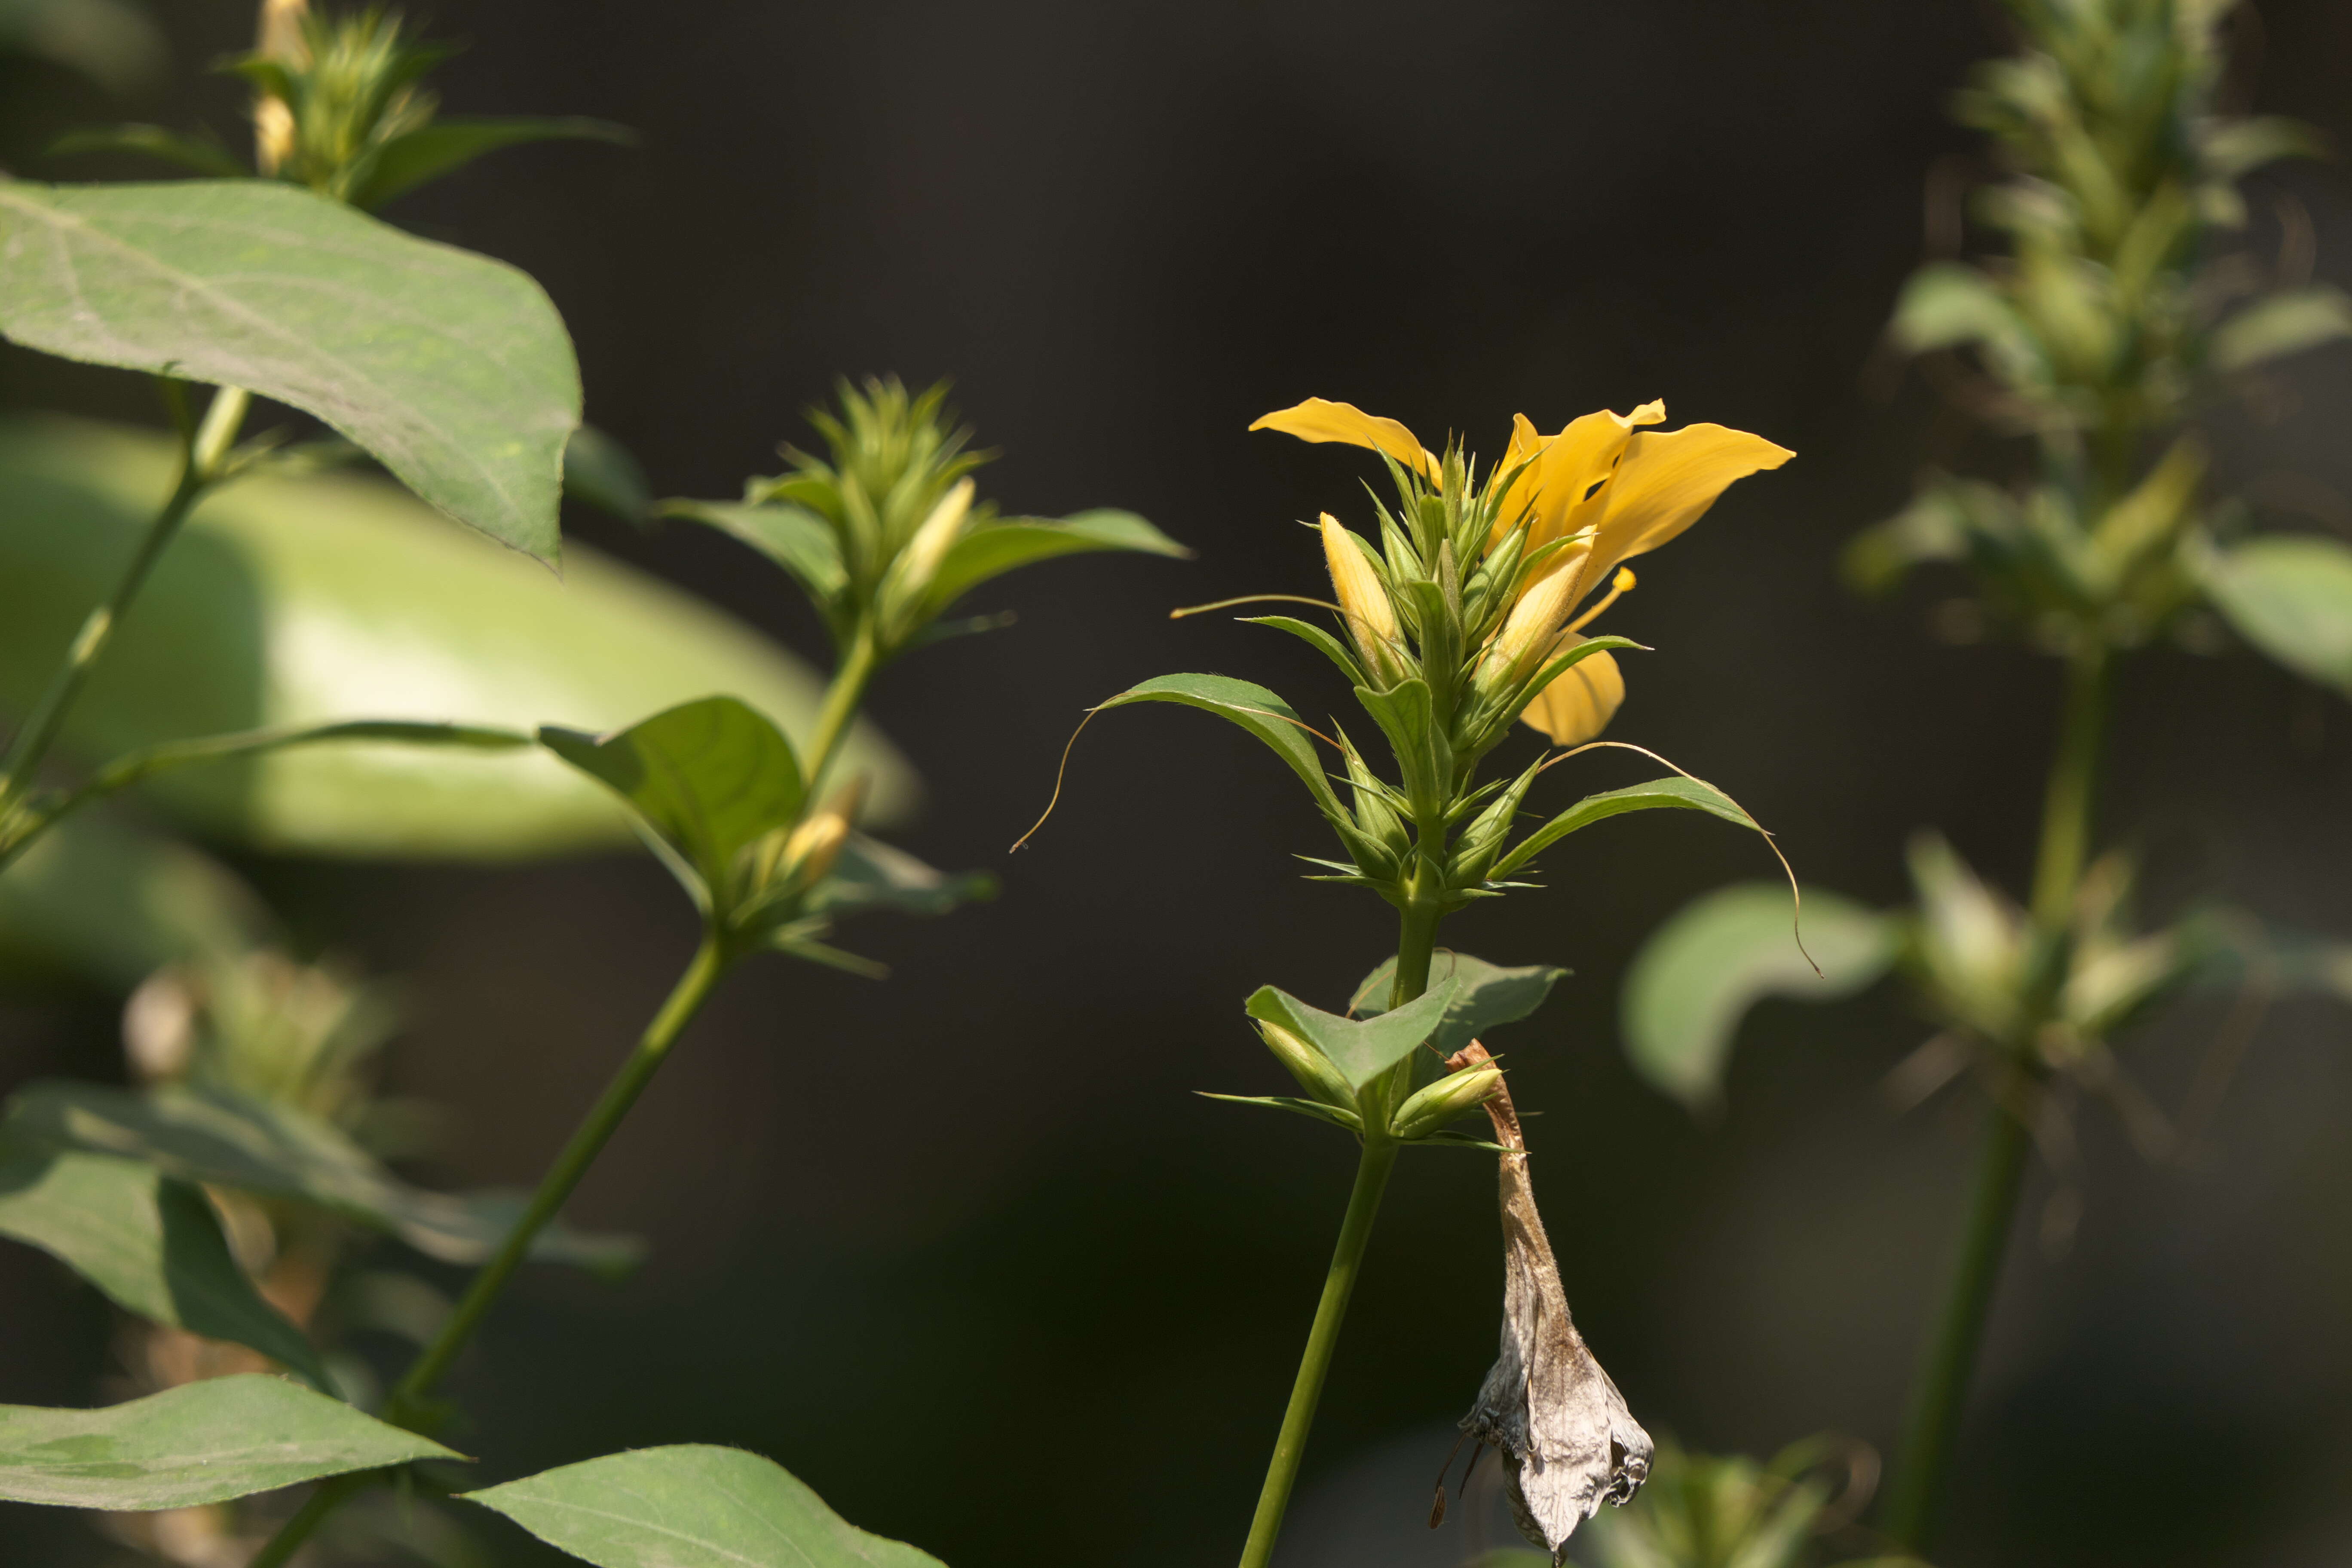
(963, 1249)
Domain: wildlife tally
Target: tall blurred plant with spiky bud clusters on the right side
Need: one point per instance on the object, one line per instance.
(2109, 321)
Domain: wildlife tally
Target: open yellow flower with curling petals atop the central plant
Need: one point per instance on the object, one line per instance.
(1610, 485)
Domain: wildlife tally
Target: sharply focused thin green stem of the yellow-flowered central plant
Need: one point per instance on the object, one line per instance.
(1417, 942)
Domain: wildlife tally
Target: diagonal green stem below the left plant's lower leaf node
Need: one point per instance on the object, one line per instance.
(408, 1405)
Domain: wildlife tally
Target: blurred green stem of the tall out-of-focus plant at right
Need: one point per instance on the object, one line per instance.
(1949, 1365)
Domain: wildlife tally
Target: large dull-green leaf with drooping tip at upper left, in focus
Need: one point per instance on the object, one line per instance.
(450, 368)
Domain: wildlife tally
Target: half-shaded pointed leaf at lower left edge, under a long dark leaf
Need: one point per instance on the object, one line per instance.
(149, 1242)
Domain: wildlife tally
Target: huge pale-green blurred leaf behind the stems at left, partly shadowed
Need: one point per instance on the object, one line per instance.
(300, 601)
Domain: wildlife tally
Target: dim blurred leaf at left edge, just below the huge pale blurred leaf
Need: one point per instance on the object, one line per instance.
(112, 906)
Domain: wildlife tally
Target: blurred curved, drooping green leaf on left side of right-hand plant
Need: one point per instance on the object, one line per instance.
(1699, 974)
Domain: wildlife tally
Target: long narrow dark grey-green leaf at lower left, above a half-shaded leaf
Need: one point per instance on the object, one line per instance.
(227, 1139)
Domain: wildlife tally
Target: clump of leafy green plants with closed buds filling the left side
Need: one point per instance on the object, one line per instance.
(218, 1200)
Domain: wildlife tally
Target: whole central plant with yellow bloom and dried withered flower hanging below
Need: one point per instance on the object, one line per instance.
(1459, 619)
